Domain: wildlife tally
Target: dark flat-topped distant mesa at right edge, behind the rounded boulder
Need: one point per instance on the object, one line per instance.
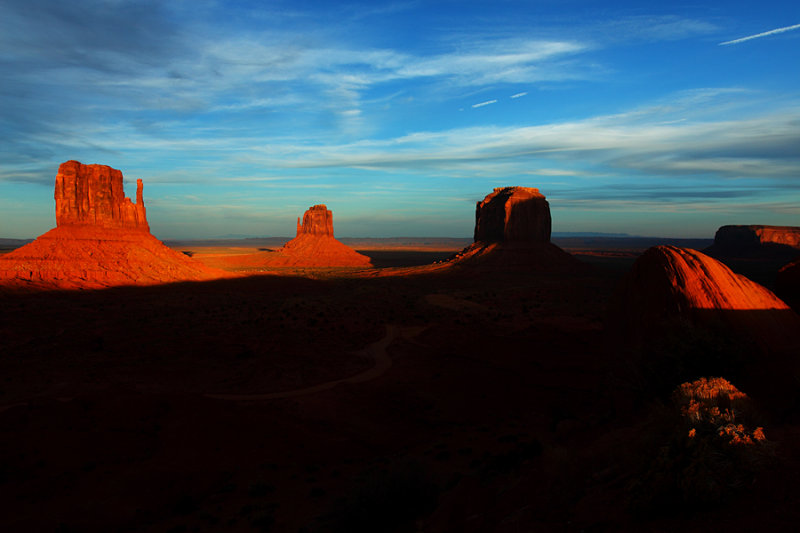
(756, 240)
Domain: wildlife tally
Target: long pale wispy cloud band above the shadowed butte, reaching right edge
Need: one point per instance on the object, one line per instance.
(642, 142)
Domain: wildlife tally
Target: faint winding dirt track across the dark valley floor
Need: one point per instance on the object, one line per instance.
(376, 350)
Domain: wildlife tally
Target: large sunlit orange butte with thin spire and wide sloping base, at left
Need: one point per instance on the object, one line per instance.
(101, 239)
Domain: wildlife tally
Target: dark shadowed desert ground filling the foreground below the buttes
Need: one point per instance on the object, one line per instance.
(500, 405)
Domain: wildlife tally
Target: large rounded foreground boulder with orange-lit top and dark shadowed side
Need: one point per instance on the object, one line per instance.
(690, 315)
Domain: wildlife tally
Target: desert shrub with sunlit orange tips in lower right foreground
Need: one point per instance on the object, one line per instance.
(711, 451)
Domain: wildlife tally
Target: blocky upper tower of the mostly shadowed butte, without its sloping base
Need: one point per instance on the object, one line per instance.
(513, 214)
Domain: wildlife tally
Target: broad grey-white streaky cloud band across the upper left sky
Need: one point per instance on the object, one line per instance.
(167, 79)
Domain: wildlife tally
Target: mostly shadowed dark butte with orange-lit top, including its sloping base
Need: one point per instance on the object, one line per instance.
(512, 230)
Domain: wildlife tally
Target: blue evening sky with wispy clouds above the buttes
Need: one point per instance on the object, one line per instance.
(238, 116)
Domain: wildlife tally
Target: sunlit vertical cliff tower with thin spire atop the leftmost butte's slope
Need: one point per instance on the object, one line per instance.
(93, 195)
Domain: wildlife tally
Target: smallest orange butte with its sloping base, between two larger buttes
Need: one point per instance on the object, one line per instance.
(315, 245)
